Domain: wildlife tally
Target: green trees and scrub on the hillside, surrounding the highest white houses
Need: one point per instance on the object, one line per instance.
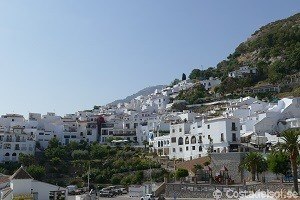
(274, 50)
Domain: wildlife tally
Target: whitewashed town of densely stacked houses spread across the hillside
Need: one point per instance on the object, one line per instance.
(228, 126)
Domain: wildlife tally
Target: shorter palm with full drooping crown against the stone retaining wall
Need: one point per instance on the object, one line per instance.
(251, 163)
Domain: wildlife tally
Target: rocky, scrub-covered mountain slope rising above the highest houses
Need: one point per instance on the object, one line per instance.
(274, 49)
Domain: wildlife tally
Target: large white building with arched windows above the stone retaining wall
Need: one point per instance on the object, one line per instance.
(189, 140)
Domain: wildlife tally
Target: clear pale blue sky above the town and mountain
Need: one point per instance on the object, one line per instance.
(66, 55)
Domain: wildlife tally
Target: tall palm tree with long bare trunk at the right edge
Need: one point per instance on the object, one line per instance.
(291, 146)
